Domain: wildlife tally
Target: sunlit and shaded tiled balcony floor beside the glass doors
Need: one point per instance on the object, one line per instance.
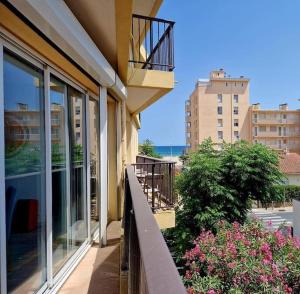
(99, 271)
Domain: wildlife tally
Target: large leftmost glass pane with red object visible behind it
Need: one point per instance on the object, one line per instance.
(24, 175)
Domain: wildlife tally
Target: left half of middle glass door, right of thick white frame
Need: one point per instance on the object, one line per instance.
(58, 92)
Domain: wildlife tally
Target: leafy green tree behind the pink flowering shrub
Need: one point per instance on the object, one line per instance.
(221, 185)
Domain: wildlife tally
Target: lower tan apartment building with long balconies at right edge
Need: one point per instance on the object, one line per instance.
(278, 129)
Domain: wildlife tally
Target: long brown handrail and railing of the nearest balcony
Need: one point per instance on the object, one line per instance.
(146, 256)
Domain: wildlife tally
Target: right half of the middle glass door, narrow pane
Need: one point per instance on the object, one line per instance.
(77, 168)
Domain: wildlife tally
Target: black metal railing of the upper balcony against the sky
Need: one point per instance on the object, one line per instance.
(152, 43)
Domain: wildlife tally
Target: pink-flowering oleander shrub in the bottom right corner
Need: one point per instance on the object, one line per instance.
(243, 259)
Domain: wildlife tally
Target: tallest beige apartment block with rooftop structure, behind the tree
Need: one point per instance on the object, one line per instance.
(218, 108)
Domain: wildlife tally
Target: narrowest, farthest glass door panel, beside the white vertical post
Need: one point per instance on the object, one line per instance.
(94, 163)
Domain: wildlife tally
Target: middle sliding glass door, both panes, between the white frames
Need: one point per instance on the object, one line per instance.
(69, 210)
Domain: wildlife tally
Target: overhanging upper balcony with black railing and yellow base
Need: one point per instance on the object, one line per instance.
(151, 61)
